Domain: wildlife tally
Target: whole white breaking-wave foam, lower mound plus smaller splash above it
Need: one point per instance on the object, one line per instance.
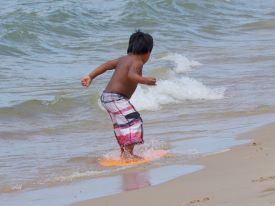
(175, 88)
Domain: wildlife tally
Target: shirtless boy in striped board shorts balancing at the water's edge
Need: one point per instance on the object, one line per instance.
(127, 74)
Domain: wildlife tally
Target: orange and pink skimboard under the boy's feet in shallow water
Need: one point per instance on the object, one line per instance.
(150, 156)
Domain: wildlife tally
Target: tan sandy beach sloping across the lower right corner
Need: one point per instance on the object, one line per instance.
(243, 176)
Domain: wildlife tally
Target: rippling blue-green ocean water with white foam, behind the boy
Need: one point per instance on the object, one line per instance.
(214, 62)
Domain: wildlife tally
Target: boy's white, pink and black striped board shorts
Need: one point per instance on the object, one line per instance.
(127, 122)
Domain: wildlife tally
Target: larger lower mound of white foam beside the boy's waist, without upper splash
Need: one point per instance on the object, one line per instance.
(173, 91)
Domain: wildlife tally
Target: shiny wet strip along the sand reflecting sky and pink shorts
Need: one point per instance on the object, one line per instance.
(100, 187)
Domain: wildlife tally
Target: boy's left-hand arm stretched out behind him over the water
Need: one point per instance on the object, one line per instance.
(87, 80)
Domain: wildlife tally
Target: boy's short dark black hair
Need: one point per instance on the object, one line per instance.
(140, 43)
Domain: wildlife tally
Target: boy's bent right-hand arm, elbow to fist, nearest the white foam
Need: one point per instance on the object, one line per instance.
(135, 75)
